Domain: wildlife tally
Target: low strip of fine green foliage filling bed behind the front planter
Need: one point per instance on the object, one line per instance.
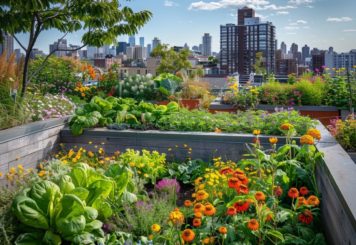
(243, 122)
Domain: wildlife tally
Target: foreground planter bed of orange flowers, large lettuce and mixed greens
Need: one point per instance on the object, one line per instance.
(87, 195)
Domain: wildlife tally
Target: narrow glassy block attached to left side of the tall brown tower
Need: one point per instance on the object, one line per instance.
(228, 48)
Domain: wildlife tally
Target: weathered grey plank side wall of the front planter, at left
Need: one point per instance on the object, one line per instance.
(28, 144)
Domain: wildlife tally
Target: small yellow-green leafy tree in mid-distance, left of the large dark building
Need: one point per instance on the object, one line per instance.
(171, 61)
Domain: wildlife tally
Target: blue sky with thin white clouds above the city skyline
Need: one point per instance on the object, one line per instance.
(317, 23)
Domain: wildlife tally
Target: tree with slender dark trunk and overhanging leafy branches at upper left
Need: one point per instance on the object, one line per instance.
(102, 21)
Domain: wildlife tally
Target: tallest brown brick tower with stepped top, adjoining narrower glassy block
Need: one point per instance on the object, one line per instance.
(254, 36)
